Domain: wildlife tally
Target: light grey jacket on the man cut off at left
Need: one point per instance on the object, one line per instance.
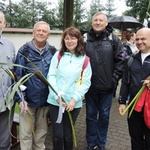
(7, 55)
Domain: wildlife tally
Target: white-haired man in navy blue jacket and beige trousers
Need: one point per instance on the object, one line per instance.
(34, 106)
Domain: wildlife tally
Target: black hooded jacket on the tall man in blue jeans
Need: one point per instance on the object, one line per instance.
(106, 60)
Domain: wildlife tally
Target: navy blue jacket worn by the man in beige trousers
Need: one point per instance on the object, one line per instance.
(36, 92)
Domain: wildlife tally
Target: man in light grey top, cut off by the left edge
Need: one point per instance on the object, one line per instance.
(7, 55)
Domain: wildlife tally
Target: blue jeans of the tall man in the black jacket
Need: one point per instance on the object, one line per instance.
(97, 118)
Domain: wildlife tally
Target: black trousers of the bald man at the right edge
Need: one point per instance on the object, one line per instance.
(139, 132)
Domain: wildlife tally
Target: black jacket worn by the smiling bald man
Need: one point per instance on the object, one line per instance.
(138, 72)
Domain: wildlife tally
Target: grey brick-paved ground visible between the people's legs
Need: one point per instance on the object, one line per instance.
(118, 137)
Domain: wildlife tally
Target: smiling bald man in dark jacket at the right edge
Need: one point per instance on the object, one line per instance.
(139, 71)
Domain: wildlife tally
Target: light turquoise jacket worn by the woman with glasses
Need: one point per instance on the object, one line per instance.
(67, 78)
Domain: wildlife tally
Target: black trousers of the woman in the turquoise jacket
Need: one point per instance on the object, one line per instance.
(62, 132)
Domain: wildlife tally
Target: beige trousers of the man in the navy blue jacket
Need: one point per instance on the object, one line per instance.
(33, 128)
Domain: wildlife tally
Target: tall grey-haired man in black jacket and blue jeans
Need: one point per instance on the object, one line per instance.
(106, 57)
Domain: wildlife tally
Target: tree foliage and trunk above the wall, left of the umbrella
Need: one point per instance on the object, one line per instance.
(25, 13)
